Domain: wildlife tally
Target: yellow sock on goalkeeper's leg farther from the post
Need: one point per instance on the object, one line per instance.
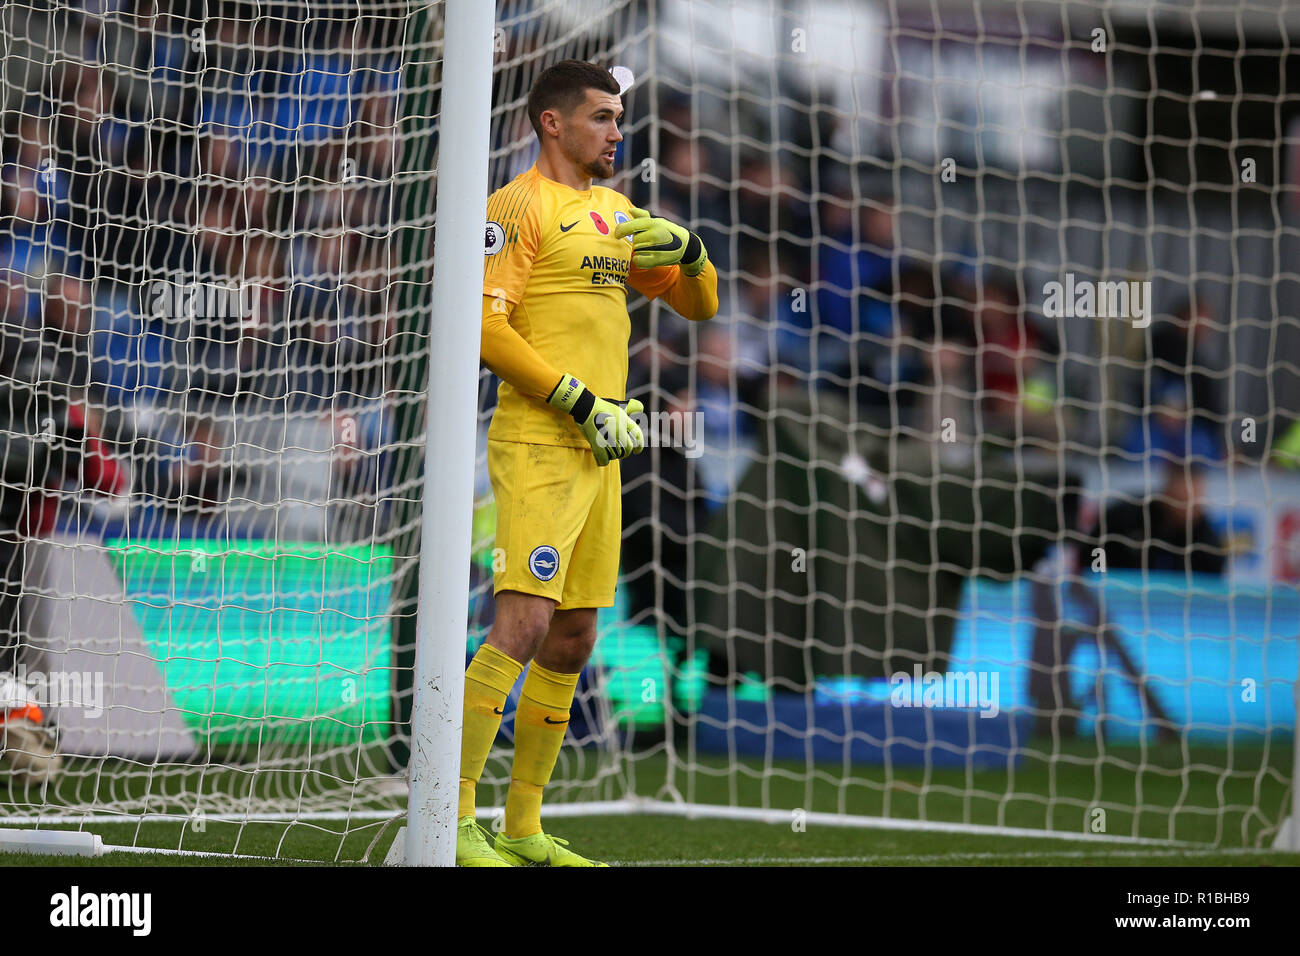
(540, 725)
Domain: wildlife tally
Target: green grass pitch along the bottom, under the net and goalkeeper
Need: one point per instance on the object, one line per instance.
(1155, 793)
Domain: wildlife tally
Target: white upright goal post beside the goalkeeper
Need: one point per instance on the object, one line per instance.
(449, 475)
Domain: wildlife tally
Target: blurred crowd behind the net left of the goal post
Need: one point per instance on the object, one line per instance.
(194, 220)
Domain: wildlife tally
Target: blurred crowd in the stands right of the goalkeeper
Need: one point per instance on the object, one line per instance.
(821, 297)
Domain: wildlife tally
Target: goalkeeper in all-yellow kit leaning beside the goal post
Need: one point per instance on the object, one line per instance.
(560, 257)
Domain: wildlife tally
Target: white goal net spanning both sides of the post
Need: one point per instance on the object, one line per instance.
(973, 509)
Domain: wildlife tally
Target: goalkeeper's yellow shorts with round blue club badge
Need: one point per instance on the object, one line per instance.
(560, 524)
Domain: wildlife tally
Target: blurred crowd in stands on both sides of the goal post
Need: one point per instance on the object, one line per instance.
(255, 158)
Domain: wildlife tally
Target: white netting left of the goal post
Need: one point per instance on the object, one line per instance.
(216, 254)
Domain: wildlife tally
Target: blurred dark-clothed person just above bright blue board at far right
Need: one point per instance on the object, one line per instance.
(1164, 533)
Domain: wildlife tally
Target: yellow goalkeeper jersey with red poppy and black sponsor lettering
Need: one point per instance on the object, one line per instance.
(556, 270)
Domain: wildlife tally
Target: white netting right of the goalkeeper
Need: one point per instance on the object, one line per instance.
(999, 289)
